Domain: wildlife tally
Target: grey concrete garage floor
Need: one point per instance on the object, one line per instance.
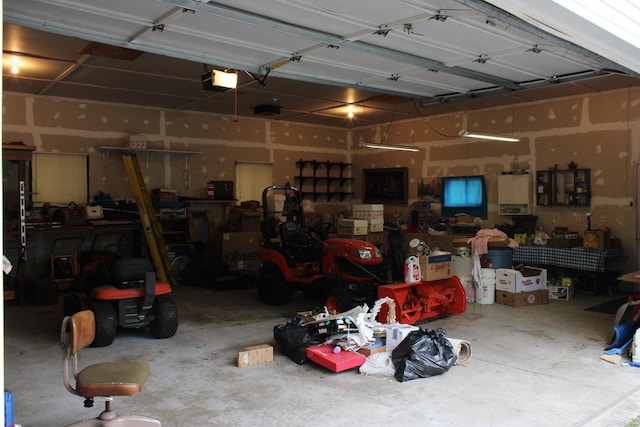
(535, 365)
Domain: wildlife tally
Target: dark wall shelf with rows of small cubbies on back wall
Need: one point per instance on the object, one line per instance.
(324, 180)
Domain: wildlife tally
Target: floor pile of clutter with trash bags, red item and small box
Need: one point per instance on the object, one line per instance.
(357, 339)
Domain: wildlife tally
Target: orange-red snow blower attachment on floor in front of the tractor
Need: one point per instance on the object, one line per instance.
(424, 300)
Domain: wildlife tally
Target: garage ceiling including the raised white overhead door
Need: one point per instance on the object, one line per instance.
(383, 59)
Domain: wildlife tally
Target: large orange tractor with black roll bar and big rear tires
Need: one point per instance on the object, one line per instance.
(344, 271)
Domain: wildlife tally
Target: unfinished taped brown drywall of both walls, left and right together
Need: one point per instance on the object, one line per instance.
(600, 132)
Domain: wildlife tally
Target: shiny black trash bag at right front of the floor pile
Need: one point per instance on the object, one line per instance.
(423, 353)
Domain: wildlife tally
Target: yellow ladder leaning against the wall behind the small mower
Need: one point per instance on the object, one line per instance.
(150, 224)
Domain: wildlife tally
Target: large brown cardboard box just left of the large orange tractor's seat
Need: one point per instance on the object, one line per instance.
(240, 250)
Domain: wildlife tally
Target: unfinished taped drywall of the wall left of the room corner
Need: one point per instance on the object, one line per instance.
(218, 142)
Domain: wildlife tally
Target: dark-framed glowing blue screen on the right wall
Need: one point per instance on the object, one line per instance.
(464, 194)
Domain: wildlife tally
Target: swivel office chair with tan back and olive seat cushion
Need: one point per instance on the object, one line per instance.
(100, 379)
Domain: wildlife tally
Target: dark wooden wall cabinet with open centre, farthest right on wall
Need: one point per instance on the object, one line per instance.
(560, 187)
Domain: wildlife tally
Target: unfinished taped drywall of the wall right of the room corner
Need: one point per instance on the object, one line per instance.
(600, 132)
